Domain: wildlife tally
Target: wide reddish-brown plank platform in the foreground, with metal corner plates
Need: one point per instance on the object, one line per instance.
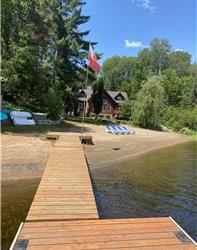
(148, 233)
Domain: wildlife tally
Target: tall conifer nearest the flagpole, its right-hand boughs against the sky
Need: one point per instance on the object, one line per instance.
(67, 47)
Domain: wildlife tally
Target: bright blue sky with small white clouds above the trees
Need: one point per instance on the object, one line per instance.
(123, 27)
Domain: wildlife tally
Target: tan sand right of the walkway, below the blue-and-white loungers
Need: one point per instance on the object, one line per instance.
(109, 148)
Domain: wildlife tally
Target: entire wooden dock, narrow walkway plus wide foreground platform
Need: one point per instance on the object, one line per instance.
(63, 214)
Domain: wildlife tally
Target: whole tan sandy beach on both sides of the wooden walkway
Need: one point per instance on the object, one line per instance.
(25, 155)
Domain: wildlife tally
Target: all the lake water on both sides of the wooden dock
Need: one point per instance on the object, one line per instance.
(160, 183)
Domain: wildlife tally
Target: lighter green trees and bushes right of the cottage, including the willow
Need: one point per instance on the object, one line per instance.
(176, 88)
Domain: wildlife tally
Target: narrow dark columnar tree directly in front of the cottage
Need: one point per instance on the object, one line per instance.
(97, 96)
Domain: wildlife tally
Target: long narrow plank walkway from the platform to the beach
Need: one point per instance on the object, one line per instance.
(65, 179)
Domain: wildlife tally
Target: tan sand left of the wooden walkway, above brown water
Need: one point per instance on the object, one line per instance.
(23, 156)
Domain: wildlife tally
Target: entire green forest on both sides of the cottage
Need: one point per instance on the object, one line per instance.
(44, 59)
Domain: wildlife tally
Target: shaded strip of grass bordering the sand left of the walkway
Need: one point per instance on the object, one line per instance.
(38, 129)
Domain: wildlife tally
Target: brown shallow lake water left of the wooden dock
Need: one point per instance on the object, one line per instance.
(16, 199)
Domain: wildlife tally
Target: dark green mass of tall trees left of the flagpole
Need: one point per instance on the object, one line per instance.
(42, 47)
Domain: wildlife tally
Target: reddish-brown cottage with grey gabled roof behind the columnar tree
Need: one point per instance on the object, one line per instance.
(111, 102)
